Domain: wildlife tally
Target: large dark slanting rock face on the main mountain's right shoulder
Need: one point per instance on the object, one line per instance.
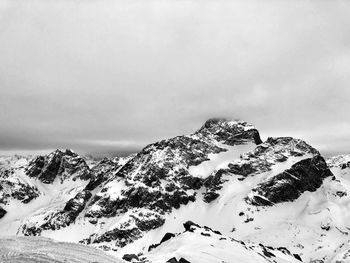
(306, 175)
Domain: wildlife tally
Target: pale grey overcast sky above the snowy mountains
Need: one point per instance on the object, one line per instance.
(113, 76)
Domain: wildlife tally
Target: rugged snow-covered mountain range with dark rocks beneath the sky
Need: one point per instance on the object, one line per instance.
(250, 201)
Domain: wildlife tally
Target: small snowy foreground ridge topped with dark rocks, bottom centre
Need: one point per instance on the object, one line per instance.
(205, 245)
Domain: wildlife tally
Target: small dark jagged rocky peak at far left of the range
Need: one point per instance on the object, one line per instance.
(59, 164)
